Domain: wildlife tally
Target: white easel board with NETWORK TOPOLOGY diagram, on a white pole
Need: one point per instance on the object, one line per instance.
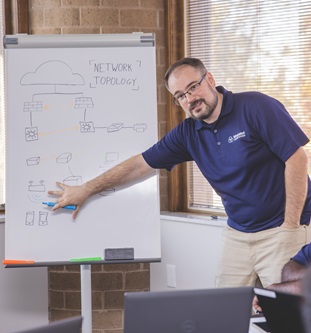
(85, 103)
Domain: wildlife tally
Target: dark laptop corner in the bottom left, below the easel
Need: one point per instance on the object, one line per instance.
(70, 325)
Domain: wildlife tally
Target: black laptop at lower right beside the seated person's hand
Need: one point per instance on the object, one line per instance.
(282, 311)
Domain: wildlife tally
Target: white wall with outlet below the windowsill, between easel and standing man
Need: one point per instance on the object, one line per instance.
(190, 249)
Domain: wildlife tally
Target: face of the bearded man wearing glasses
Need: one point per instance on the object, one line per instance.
(198, 99)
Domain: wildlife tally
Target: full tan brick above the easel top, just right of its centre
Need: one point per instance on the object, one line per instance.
(99, 17)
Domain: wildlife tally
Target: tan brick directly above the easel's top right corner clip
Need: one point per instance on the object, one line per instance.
(138, 18)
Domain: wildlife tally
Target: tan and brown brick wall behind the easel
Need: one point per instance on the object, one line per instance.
(96, 17)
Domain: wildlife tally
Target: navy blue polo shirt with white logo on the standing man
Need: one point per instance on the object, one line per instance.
(242, 155)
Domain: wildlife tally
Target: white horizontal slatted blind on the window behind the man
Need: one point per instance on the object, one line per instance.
(261, 45)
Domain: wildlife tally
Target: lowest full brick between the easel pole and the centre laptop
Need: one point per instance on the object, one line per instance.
(111, 319)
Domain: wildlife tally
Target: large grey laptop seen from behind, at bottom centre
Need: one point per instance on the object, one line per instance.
(221, 310)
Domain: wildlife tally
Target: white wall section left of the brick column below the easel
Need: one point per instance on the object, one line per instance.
(23, 295)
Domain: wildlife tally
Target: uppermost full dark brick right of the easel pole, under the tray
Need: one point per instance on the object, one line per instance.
(107, 281)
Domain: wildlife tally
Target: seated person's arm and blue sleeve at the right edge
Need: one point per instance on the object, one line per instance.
(293, 275)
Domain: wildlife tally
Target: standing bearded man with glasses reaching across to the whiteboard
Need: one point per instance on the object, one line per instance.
(250, 150)
